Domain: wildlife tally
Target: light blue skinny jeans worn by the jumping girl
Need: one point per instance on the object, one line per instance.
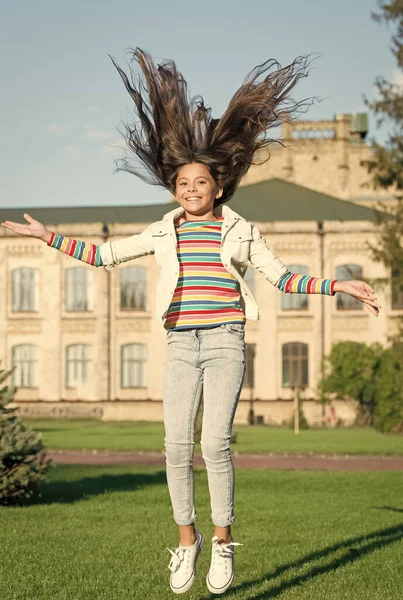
(208, 363)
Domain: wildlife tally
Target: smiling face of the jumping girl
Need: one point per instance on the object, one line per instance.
(196, 191)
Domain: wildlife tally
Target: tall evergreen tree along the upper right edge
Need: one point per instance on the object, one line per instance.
(386, 163)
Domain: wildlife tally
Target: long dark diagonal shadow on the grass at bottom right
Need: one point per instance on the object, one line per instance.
(367, 544)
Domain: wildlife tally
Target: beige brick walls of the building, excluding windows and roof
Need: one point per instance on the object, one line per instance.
(321, 155)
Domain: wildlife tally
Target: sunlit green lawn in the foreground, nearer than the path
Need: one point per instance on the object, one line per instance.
(99, 533)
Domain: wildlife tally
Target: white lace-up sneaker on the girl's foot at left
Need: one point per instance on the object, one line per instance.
(183, 565)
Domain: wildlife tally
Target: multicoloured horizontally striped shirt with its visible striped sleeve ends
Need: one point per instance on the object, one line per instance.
(206, 295)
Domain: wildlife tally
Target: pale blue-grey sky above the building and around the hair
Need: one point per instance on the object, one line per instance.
(62, 100)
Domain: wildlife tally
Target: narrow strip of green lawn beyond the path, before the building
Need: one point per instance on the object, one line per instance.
(131, 435)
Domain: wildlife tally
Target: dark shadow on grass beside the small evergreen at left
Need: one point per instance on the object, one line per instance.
(64, 491)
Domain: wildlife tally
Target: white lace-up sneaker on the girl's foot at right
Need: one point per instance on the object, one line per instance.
(221, 574)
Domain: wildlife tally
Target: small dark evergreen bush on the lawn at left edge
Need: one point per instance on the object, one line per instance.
(22, 459)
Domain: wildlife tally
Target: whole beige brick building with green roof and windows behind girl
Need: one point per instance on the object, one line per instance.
(86, 342)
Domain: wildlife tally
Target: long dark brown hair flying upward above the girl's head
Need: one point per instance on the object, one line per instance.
(171, 129)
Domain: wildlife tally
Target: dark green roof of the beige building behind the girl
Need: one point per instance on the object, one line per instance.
(266, 201)
